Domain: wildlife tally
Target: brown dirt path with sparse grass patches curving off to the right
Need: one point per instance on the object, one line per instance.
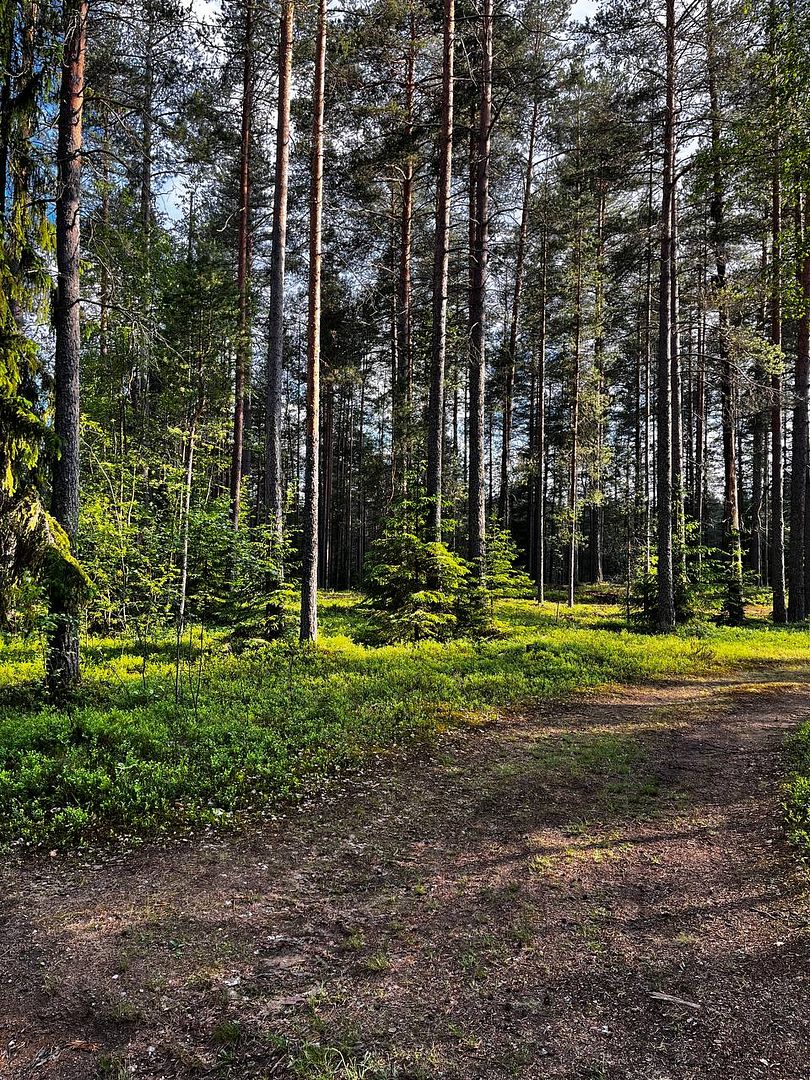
(508, 906)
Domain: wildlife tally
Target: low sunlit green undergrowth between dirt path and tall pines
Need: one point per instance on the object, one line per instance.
(274, 722)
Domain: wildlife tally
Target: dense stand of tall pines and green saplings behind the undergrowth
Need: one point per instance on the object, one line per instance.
(460, 272)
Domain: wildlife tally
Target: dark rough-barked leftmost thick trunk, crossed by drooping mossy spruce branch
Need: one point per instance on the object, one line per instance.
(63, 656)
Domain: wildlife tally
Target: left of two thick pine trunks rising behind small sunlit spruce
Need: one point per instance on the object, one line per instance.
(441, 281)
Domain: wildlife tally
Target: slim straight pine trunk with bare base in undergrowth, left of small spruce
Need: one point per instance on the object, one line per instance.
(309, 579)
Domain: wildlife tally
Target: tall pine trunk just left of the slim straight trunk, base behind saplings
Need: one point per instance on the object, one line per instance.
(279, 246)
